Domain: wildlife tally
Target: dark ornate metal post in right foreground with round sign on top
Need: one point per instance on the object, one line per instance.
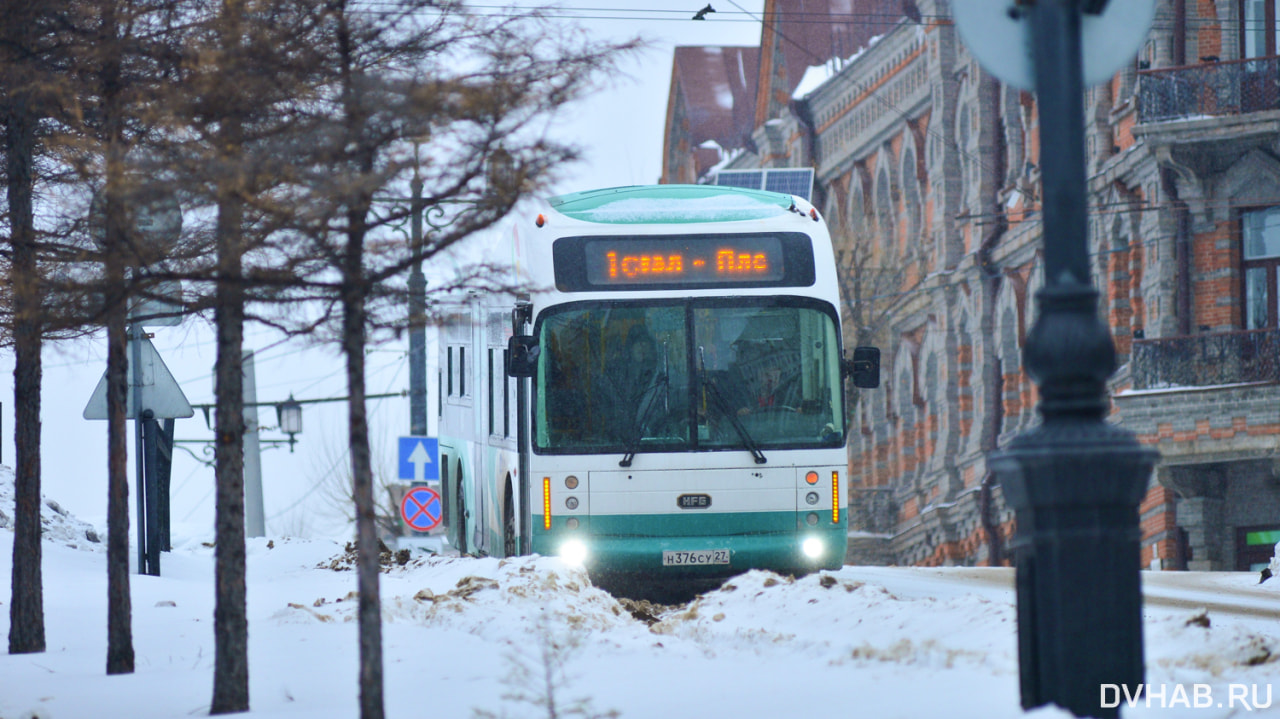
(1076, 482)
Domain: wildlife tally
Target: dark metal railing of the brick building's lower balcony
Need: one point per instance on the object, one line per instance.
(1206, 360)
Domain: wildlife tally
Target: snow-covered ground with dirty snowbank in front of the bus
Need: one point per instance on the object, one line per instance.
(476, 638)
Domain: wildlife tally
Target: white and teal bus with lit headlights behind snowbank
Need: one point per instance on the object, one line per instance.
(668, 401)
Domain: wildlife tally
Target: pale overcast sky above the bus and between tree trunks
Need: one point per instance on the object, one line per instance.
(621, 130)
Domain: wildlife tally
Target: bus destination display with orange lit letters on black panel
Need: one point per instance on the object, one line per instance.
(689, 262)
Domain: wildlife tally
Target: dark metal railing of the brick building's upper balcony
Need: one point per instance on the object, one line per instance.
(1214, 89)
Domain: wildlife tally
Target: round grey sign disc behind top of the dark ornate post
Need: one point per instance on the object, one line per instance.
(999, 36)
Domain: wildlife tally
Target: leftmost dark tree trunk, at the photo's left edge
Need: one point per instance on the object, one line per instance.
(28, 611)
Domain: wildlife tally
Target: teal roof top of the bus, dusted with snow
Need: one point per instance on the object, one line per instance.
(671, 204)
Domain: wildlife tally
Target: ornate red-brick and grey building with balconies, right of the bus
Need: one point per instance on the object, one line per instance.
(927, 172)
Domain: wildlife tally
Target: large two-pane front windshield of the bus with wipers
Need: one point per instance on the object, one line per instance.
(636, 377)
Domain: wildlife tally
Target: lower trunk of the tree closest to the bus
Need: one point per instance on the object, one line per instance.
(363, 489)
